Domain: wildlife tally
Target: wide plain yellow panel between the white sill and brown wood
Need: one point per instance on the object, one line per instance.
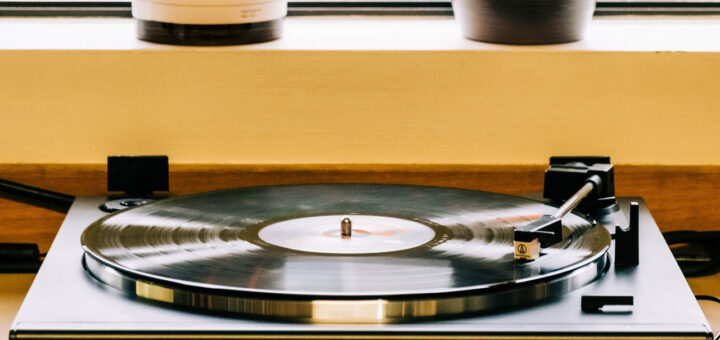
(265, 106)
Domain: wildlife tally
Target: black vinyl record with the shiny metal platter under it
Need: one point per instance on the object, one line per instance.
(203, 251)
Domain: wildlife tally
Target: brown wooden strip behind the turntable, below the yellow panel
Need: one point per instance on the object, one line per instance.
(679, 197)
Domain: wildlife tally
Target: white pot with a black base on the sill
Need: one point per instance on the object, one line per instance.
(209, 22)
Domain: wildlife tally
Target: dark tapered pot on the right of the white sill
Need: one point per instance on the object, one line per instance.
(523, 21)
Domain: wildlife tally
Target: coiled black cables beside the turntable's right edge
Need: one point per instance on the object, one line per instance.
(699, 254)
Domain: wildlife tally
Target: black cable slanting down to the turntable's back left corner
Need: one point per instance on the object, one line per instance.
(35, 196)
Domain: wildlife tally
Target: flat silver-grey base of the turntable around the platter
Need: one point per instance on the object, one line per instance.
(664, 304)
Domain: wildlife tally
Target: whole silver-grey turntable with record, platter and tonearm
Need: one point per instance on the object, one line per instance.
(359, 261)
